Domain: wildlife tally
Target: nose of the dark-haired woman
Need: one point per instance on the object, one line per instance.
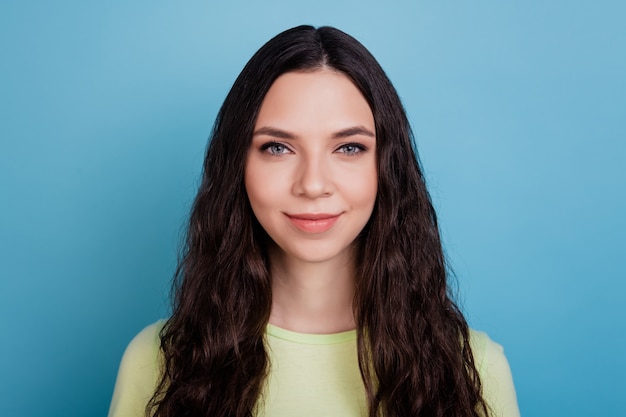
(313, 178)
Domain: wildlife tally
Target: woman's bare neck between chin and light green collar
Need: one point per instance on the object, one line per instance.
(312, 297)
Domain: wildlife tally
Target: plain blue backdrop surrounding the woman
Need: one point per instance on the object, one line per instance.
(518, 109)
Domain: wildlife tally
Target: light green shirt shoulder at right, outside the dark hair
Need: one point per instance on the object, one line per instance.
(495, 375)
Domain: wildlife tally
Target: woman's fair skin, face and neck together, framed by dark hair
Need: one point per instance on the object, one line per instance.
(311, 180)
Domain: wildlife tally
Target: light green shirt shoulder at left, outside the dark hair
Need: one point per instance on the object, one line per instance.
(138, 374)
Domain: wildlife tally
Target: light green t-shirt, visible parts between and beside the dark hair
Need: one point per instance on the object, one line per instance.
(310, 375)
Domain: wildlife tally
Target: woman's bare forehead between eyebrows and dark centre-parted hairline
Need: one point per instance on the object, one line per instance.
(321, 98)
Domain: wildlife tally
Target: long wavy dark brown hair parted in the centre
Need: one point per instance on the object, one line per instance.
(413, 342)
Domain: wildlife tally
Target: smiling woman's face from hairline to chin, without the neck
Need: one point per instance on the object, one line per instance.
(311, 169)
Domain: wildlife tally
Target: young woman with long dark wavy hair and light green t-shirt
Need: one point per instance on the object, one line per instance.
(313, 281)
